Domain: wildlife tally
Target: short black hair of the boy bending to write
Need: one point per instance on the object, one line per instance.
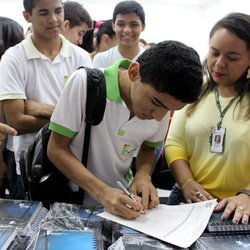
(172, 67)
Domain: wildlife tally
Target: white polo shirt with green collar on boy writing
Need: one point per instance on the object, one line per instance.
(115, 139)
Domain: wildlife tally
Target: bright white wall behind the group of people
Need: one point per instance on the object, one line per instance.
(164, 19)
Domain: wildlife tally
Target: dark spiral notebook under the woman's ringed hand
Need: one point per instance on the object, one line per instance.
(216, 226)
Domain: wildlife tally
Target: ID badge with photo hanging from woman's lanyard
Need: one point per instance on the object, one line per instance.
(217, 140)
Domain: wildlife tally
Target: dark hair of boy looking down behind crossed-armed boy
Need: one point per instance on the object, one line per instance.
(76, 14)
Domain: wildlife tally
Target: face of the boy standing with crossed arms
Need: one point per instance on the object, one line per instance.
(46, 19)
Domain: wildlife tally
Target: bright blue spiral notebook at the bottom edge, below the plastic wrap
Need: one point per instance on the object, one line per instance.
(67, 240)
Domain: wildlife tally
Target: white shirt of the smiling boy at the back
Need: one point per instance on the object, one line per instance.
(108, 57)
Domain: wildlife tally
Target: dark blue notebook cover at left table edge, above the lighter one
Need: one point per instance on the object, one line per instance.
(18, 213)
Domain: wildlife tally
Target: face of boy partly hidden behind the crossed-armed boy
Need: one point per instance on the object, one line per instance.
(74, 34)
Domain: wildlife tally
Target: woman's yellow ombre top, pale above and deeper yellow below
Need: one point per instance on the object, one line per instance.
(221, 174)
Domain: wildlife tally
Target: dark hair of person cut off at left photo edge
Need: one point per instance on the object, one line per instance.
(11, 33)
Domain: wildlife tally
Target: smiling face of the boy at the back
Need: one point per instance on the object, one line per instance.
(128, 28)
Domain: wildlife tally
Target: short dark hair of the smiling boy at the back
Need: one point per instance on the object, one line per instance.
(128, 7)
